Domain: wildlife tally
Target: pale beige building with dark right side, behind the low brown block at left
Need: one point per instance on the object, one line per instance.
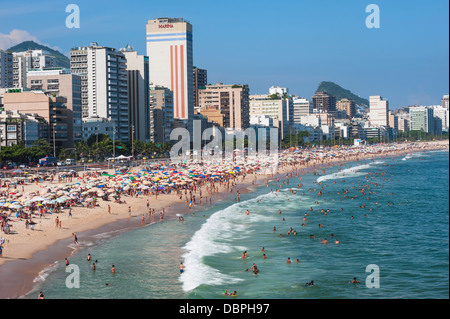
(58, 82)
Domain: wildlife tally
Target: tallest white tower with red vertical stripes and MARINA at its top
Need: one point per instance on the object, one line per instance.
(169, 48)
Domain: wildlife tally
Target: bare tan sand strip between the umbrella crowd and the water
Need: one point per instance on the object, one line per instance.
(27, 252)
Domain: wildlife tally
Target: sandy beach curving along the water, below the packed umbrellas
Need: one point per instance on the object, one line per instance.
(27, 251)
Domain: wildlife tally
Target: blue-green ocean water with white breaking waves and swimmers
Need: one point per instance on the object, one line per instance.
(392, 213)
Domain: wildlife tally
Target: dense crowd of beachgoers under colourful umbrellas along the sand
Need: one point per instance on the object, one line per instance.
(193, 183)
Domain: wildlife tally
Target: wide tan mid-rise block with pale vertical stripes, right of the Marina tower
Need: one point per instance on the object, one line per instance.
(226, 104)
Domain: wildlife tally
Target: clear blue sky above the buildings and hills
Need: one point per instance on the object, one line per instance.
(290, 43)
